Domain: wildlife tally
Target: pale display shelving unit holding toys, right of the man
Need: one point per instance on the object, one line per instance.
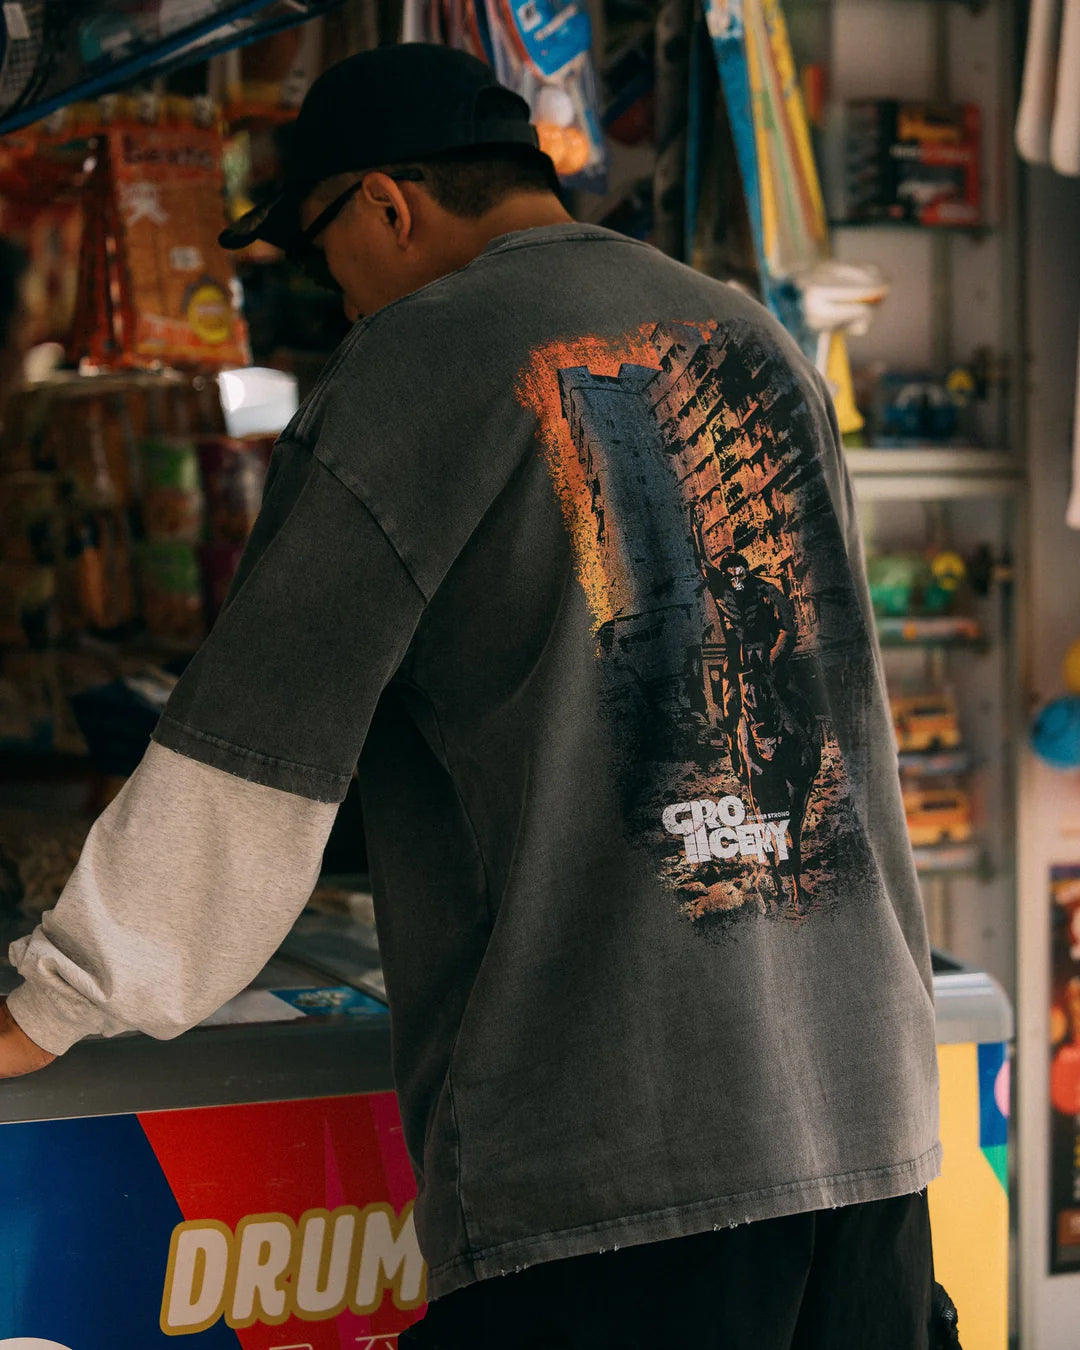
(955, 302)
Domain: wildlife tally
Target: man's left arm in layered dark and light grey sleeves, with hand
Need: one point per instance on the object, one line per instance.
(192, 878)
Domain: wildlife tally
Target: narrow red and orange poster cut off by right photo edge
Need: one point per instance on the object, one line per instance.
(1066, 1070)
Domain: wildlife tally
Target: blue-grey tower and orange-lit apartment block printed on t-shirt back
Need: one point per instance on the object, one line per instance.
(708, 429)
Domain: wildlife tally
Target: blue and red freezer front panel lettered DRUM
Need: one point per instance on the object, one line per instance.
(264, 1228)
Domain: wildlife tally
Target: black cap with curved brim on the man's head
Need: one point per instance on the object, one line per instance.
(391, 106)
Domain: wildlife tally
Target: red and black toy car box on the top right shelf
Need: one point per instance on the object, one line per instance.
(916, 163)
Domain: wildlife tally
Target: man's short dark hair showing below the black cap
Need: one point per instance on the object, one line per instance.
(470, 183)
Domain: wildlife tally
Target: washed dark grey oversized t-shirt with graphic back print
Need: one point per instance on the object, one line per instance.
(562, 549)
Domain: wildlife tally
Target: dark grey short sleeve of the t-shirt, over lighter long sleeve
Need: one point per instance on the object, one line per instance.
(319, 618)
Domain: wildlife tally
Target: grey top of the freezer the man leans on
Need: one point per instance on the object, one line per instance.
(244, 1058)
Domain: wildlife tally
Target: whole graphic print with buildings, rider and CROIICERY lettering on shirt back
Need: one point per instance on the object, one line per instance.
(726, 616)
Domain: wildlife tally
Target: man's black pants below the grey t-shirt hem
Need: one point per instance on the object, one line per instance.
(858, 1278)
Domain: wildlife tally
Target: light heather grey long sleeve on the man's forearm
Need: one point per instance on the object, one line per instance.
(187, 886)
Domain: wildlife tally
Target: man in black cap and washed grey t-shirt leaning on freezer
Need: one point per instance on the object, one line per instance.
(641, 1110)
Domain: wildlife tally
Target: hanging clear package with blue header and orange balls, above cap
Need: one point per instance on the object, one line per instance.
(543, 51)
